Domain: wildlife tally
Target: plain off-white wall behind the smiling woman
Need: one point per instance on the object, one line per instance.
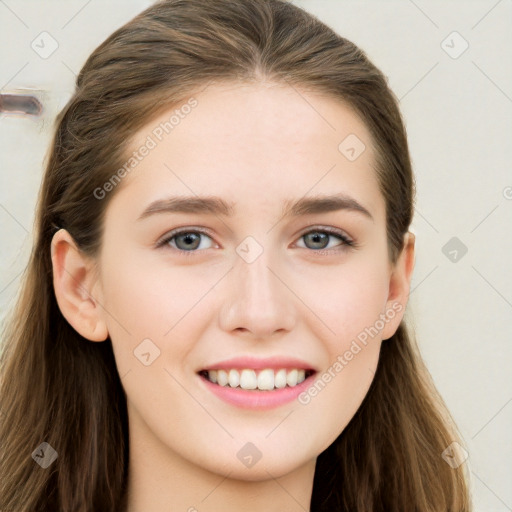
(458, 112)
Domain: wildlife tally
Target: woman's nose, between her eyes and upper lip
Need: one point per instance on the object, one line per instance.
(258, 301)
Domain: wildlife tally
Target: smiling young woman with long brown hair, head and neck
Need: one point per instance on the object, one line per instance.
(212, 317)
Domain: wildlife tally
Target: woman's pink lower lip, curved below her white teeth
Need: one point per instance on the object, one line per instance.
(257, 399)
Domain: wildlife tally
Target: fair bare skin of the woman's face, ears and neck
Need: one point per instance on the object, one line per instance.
(256, 146)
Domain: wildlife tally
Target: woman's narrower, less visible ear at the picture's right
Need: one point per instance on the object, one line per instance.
(399, 287)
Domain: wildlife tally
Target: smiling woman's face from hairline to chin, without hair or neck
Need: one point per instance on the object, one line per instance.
(251, 283)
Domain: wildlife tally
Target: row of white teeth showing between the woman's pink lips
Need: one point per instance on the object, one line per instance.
(262, 380)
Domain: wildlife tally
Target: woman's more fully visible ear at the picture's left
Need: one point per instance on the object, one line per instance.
(75, 282)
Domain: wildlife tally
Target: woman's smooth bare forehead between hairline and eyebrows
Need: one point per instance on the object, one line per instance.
(257, 142)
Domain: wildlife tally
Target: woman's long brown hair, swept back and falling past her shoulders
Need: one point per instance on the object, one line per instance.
(59, 388)
